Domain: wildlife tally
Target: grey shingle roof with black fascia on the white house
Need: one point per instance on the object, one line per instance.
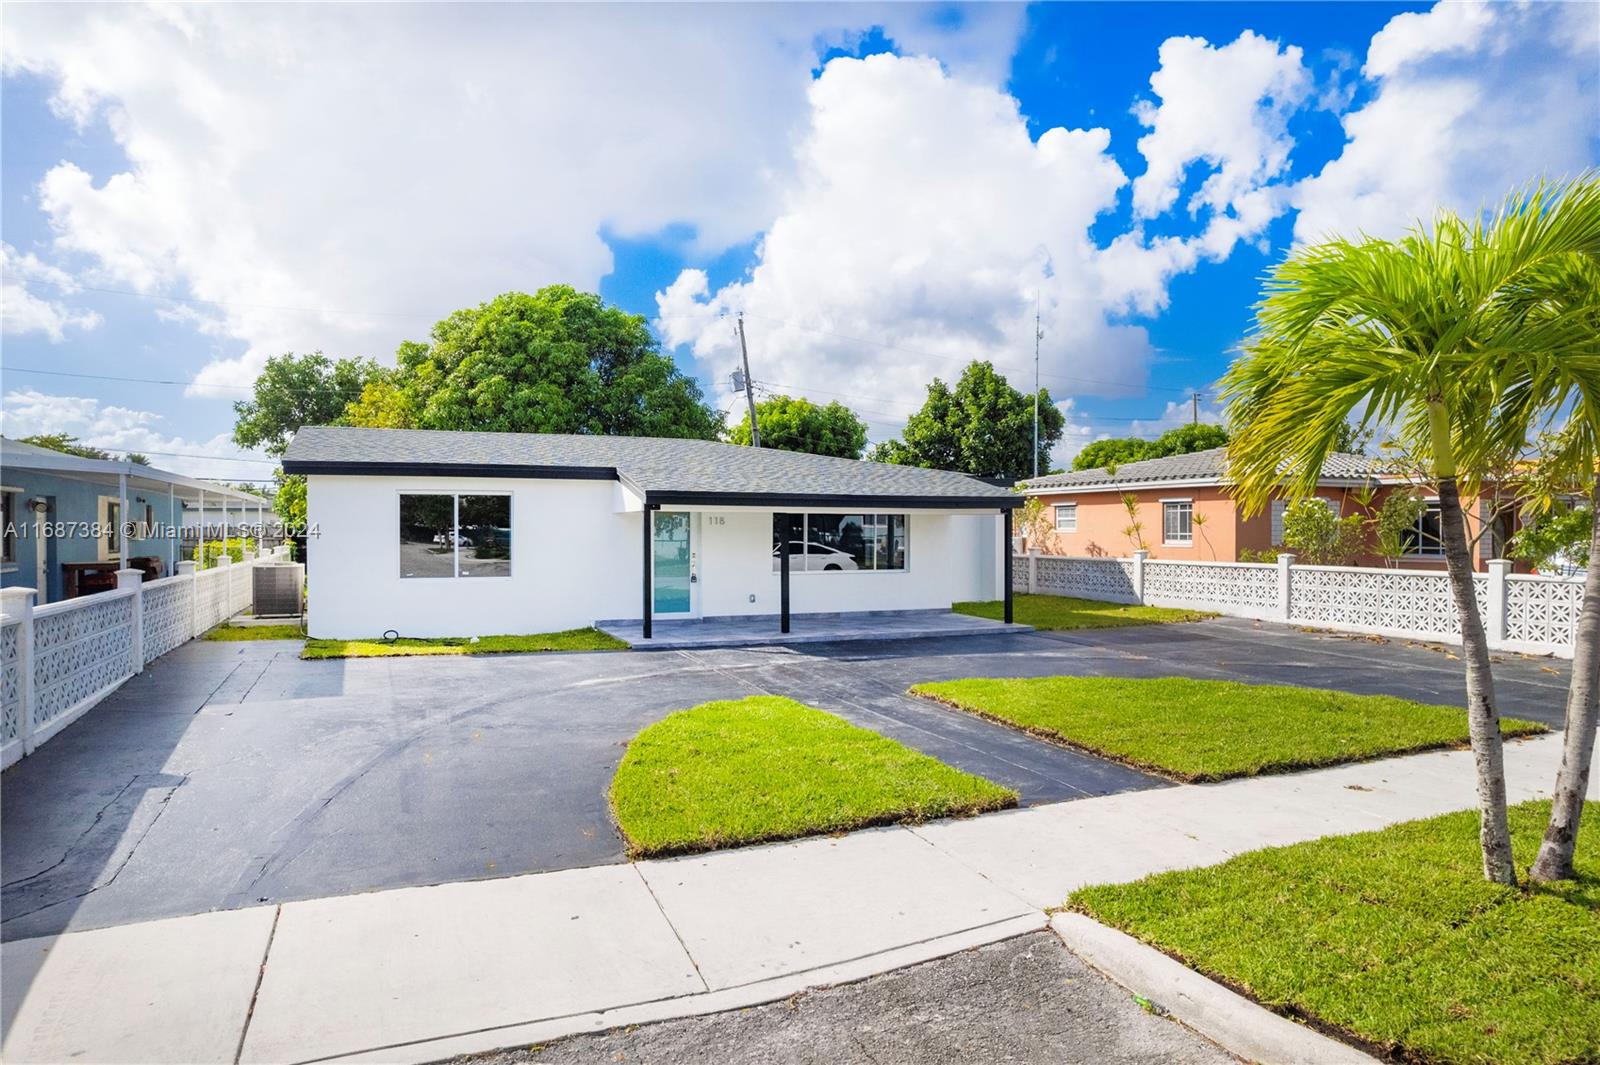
(657, 468)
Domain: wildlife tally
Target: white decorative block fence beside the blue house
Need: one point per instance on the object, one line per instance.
(60, 661)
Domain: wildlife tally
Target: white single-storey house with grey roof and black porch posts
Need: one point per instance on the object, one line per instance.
(455, 535)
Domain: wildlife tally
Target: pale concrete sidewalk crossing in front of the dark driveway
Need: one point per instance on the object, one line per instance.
(425, 973)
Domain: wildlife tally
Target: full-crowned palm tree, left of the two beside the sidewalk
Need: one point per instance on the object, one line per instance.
(1418, 335)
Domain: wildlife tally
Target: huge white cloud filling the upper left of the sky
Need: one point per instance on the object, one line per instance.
(342, 177)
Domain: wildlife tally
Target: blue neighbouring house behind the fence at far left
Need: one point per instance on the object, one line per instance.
(70, 524)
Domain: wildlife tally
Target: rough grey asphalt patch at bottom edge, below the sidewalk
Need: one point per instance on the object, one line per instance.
(1023, 1000)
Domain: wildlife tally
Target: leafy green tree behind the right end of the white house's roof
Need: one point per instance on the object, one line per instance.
(983, 426)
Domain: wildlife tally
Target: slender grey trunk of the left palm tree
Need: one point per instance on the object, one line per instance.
(1482, 714)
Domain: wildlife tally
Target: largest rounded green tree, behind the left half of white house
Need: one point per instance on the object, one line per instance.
(551, 362)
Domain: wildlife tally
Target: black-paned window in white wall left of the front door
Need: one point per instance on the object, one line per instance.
(455, 536)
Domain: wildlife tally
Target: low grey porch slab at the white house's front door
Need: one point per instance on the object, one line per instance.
(750, 632)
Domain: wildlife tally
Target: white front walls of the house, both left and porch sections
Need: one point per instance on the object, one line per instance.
(577, 560)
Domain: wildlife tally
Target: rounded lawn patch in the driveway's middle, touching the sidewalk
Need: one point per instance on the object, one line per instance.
(769, 768)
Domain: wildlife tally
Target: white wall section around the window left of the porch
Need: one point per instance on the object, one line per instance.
(574, 560)
